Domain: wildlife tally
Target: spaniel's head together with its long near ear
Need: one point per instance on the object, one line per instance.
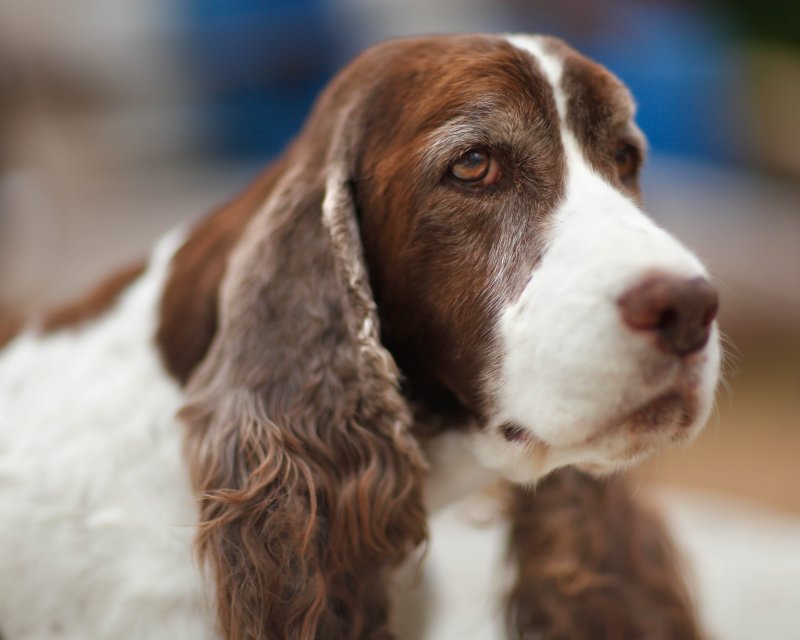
(467, 207)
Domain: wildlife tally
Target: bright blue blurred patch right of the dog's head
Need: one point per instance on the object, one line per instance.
(684, 77)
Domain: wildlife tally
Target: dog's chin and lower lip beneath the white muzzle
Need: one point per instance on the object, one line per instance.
(616, 443)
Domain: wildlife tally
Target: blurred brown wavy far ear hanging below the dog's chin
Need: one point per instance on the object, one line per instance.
(593, 563)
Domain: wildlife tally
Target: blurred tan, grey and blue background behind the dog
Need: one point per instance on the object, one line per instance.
(121, 118)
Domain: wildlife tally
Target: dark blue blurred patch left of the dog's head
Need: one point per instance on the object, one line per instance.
(259, 66)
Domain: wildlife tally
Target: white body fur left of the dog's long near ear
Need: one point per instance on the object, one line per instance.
(95, 504)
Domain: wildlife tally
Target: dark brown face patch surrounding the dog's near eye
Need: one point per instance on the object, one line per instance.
(444, 258)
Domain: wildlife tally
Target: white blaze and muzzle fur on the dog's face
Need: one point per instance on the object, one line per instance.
(571, 372)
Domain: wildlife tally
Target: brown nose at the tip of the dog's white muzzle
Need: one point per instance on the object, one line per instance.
(677, 311)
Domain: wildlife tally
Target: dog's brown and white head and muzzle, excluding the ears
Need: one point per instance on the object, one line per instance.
(496, 184)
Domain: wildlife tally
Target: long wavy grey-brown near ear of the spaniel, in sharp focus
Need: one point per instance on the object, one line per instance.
(297, 435)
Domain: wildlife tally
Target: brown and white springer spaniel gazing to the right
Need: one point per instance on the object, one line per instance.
(446, 279)
